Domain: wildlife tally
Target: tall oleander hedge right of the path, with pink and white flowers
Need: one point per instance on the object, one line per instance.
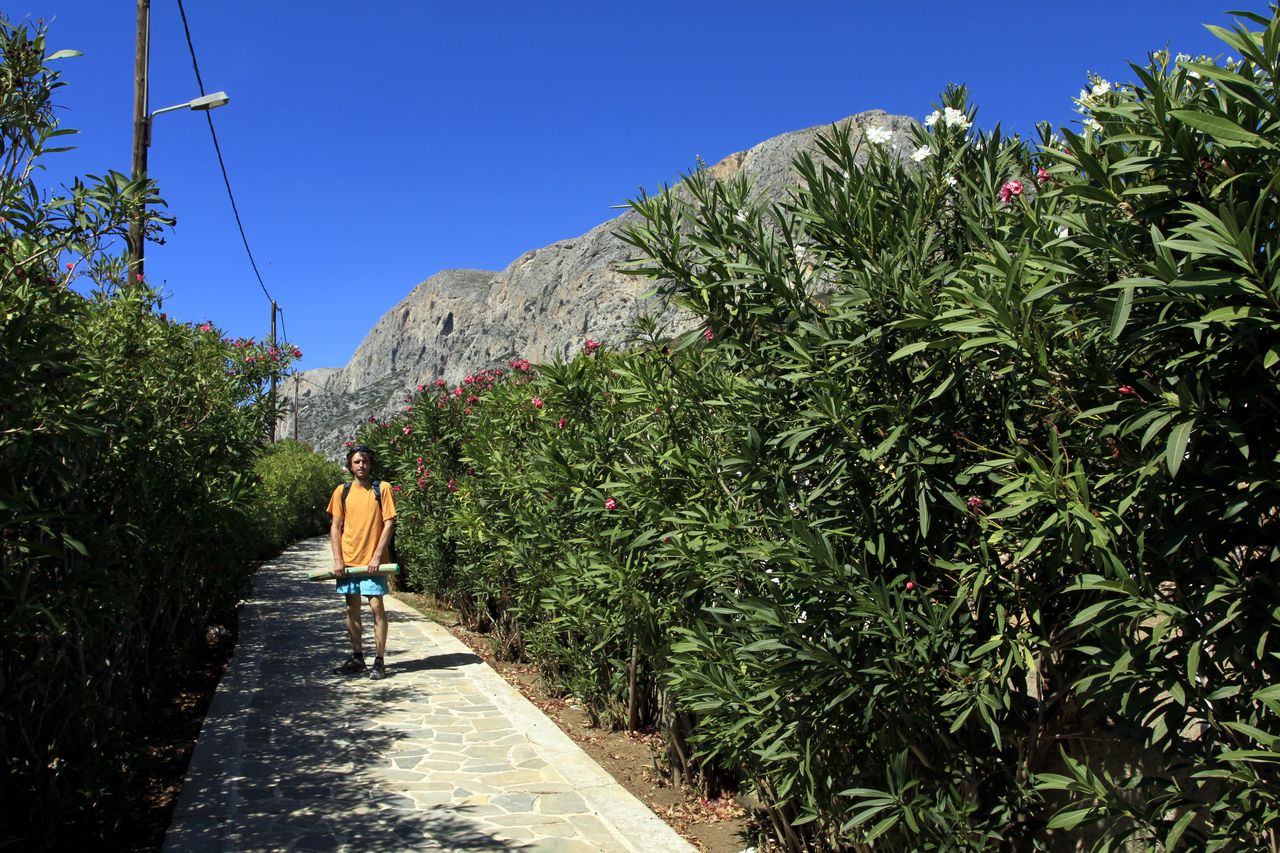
(957, 523)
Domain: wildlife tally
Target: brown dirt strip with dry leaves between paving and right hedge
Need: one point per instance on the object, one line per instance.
(712, 825)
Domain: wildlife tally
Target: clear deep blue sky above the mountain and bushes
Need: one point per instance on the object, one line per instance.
(373, 145)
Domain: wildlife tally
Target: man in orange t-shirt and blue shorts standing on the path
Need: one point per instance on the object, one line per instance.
(364, 514)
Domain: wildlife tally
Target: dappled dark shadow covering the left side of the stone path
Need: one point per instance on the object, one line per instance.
(287, 755)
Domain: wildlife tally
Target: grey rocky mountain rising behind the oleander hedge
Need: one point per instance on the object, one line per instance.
(541, 308)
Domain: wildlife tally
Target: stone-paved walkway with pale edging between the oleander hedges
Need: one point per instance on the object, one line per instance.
(441, 755)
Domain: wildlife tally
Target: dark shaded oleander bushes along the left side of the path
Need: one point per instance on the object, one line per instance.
(129, 508)
